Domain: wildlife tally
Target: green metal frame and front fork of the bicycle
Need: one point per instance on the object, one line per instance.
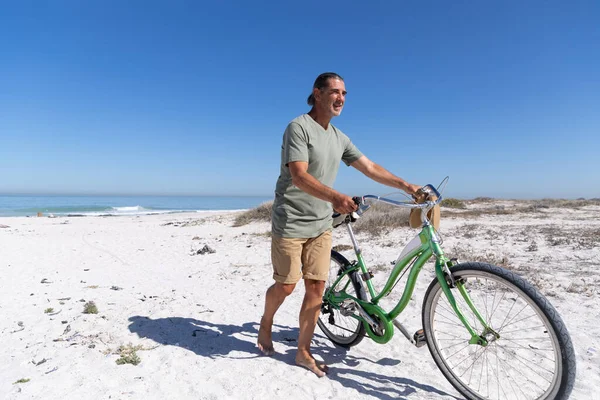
(414, 259)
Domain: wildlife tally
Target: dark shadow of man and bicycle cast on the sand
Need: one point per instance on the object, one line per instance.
(212, 340)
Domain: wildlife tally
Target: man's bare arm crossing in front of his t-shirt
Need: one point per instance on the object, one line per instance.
(309, 184)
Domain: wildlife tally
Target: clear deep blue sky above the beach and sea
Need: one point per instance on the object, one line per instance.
(192, 97)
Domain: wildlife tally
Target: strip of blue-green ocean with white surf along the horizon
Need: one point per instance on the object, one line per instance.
(56, 205)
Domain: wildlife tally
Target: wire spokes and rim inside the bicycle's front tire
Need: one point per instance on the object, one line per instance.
(521, 363)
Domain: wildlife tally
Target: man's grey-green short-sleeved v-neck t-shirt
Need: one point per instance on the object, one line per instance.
(297, 214)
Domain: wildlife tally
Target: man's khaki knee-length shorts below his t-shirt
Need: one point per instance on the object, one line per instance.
(294, 259)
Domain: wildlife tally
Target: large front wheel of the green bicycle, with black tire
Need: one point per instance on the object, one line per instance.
(531, 357)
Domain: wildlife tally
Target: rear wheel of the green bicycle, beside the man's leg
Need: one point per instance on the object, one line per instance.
(344, 331)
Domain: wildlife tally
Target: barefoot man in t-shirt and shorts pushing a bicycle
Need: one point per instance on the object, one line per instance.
(301, 231)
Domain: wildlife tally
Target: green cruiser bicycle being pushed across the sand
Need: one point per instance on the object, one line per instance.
(491, 333)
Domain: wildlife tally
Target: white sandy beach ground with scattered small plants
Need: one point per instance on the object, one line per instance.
(197, 316)
